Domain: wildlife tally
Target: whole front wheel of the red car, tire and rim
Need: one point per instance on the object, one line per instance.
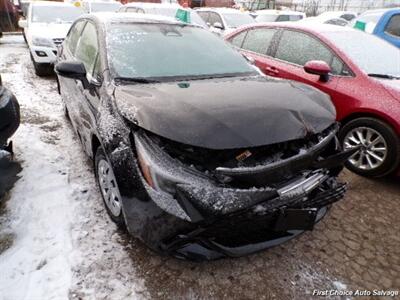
(379, 153)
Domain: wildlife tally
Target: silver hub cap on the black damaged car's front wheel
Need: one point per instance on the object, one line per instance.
(109, 187)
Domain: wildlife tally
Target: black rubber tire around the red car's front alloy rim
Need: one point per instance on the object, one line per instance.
(391, 162)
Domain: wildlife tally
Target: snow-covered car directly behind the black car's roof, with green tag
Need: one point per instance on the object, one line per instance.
(162, 9)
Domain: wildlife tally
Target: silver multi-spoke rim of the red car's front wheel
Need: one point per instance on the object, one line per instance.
(373, 151)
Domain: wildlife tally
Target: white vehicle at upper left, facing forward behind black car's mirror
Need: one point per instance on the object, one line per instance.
(45, 28)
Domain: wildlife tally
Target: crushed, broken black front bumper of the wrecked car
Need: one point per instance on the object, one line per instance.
(228, 221)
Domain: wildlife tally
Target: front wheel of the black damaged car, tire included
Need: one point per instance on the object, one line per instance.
(109, 187)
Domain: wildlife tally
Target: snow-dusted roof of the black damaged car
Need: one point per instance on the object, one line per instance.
(114, 17)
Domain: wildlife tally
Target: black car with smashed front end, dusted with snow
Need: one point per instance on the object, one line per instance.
(196, 152)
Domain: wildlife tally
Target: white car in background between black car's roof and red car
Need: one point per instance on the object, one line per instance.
(224, 20)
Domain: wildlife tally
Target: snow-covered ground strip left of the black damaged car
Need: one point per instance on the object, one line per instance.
(60, 234)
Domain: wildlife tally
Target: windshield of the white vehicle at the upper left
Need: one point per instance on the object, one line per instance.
(55, 14)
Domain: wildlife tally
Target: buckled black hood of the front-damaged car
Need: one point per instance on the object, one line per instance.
(227, 113)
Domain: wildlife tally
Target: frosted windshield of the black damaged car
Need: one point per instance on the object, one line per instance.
(168, 52)
